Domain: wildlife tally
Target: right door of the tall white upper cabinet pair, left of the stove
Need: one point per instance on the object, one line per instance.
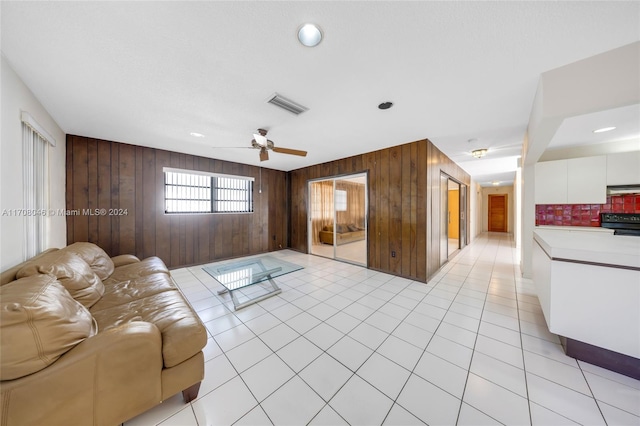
(587, 180)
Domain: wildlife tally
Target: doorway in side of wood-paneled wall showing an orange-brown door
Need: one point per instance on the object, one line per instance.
(453, 224)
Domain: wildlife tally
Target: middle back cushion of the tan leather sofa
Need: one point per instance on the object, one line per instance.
(73, 272)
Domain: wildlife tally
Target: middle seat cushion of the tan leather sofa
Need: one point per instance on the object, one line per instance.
(127, 291)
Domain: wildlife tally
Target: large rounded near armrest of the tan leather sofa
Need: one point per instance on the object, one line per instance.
(106, 379)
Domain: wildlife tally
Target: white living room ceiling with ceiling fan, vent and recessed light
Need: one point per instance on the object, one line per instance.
(149, 73)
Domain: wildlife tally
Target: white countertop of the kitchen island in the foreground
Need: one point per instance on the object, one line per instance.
(592, 247)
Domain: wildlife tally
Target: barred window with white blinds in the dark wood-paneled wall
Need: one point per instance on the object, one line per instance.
(200, 192)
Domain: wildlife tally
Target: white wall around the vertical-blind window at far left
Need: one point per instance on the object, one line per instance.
(16, 97)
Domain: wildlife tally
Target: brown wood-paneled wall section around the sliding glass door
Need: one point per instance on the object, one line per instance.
(404, 203)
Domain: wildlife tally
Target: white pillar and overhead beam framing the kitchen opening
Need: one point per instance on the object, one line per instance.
(599, 83)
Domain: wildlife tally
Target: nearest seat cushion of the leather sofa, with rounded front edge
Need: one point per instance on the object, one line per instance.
(183, 335)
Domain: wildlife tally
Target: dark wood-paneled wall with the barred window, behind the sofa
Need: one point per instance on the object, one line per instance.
(118, 176)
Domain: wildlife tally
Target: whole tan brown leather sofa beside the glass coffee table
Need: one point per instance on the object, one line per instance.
(90, 340)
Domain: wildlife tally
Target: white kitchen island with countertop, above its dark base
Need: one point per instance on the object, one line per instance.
(587, 284)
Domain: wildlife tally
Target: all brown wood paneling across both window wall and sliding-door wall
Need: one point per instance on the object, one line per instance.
(402, 194)
